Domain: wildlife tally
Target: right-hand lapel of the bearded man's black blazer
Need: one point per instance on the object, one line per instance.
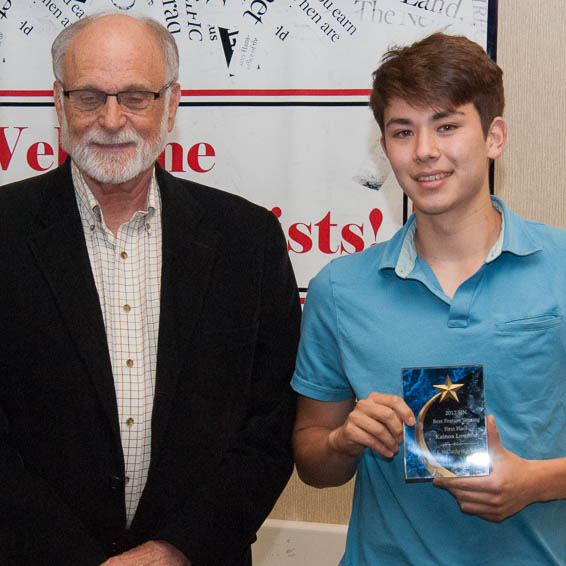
(188, 256)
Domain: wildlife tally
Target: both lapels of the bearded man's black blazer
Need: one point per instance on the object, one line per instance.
(188, 254)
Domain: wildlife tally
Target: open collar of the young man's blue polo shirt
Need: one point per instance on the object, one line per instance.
(401, 254)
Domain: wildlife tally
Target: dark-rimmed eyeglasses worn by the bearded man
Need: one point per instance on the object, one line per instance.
(91, 99)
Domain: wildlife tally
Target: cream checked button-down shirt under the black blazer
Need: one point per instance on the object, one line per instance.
(127, 272)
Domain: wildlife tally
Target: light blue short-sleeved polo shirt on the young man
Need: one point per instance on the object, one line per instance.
(370, 314)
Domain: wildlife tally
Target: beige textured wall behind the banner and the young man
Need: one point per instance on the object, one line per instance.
(530, 175)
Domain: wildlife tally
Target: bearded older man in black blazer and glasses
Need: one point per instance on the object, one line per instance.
(149, 330)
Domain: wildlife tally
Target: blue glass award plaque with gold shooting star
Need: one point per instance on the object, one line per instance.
(449, 437)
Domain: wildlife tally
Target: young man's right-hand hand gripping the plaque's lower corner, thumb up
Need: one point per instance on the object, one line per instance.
(507, 489)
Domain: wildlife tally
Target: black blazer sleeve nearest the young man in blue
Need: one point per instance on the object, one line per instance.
(218, 521)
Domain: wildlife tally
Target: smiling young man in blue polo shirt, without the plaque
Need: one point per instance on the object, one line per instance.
(465, 281)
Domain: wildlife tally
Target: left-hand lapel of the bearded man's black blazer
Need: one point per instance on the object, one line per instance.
(60, 250)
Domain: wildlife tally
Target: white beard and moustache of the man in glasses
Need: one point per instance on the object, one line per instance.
(107, 167)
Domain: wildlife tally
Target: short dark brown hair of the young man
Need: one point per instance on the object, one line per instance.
(441, 71)
